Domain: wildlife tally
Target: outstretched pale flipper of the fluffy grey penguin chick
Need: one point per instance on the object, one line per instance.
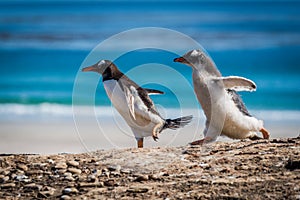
(237, 83)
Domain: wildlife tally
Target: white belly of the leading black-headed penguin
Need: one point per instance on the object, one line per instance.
(145, 121)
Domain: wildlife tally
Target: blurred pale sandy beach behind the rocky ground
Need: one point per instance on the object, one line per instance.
(52, 133)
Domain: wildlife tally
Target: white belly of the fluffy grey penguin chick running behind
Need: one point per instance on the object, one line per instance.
(222, 114)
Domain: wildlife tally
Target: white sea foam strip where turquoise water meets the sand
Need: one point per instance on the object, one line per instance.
(57, 111)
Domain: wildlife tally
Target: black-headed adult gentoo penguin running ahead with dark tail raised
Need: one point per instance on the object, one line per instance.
(133, 103)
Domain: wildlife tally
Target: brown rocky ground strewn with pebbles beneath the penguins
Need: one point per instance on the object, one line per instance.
(239, 170)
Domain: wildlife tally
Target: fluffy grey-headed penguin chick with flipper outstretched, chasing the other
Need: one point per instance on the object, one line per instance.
(224, 109)
